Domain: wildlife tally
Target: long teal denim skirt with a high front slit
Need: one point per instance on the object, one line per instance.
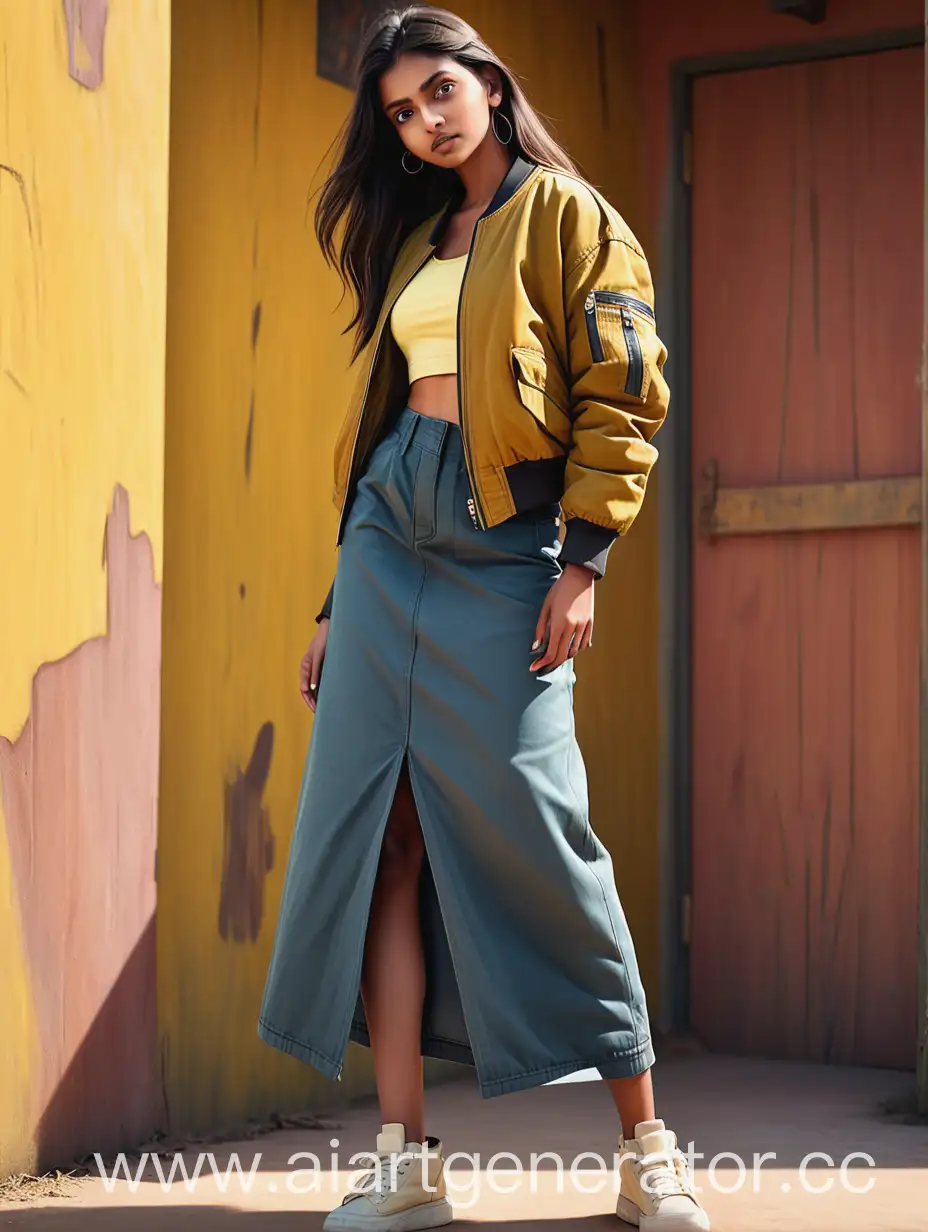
(531, 968)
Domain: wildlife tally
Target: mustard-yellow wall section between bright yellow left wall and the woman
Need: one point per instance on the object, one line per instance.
(248, 555)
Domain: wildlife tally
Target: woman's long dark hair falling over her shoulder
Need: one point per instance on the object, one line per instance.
(368, 187)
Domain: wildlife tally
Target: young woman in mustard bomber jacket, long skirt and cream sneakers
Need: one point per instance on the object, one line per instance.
(446, 895)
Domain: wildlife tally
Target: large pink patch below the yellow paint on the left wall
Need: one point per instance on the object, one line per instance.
(81, 795)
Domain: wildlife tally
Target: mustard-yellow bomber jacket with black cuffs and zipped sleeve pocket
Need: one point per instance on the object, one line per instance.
(561, 384)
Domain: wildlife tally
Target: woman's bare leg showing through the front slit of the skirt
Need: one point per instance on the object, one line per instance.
(394, 975)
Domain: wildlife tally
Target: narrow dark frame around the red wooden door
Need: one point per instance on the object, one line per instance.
(676, 514)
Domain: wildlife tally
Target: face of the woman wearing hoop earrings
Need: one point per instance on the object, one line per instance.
(441, 109)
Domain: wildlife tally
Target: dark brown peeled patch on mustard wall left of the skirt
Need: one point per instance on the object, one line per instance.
(248, 854)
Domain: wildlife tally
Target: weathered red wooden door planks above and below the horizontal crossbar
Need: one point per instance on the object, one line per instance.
(807, 343)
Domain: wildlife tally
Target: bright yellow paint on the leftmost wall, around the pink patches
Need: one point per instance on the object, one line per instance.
(83, 247)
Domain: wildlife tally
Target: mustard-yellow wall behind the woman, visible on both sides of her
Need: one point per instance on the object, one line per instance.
(251, 548)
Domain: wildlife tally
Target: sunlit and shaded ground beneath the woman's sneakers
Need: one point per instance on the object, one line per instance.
(724, 1106)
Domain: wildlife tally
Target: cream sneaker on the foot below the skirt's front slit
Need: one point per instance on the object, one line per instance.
(393, 1196)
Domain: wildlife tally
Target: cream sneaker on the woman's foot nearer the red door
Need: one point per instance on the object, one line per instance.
(656, 1191)
